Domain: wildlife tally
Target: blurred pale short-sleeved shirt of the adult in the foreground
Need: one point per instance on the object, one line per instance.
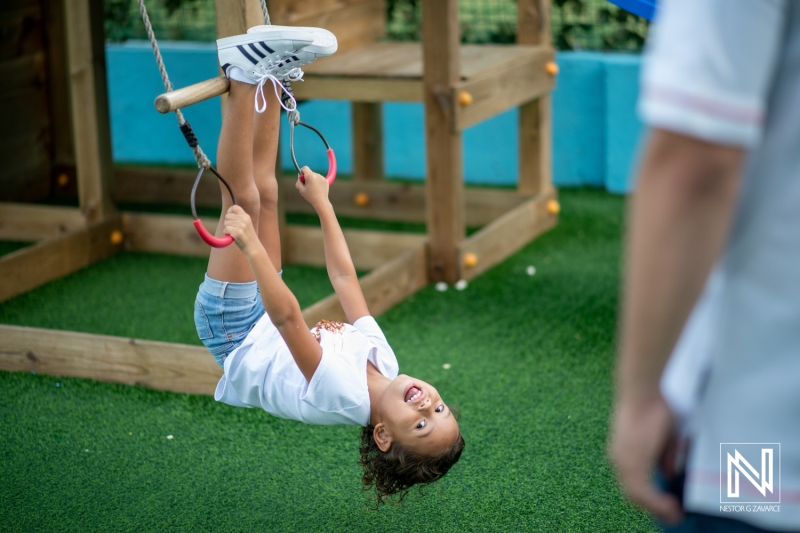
(728, 71)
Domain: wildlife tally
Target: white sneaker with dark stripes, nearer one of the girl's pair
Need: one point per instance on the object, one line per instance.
(256, 52)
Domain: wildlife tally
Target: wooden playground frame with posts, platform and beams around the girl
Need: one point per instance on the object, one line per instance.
(69, 140)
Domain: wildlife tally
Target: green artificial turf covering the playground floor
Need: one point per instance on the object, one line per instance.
(531, 371)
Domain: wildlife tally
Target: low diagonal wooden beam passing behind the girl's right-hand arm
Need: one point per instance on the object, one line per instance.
(383, 288)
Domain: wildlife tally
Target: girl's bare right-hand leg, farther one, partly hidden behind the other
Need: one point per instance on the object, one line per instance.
(266, 128)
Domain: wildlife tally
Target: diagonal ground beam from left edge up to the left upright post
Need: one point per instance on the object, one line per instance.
(35, 265)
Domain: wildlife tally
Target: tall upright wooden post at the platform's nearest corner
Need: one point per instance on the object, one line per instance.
(445, 187)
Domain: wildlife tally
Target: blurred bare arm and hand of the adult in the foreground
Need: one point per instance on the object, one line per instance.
(679, 221)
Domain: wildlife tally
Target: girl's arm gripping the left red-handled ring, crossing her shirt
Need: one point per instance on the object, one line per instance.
(281, 305)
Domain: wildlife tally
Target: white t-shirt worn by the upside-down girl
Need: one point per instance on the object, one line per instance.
(261, 372)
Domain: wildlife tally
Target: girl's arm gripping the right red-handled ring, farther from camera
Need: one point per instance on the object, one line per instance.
(341, 271)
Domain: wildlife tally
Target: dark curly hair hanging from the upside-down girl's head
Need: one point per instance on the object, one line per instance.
(396, 471)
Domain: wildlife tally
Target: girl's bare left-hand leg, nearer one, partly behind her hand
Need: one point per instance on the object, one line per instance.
(235, 164)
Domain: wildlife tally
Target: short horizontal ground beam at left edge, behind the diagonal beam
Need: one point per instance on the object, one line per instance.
(30, 222)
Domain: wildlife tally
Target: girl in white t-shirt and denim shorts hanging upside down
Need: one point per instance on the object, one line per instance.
(251, 322)
